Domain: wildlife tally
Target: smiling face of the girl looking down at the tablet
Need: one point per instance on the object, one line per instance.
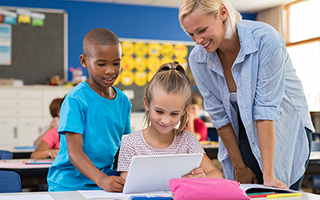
(165, 111)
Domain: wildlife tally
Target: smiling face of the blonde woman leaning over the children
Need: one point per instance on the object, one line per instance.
(206, 30)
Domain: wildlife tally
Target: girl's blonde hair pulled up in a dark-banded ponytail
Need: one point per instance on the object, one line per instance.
(171, 78)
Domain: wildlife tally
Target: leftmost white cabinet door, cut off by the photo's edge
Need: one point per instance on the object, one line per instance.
(8, 132)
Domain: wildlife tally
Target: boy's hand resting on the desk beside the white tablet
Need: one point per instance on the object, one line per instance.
(112, 183)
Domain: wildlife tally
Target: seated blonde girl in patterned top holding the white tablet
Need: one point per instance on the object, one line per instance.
(166, 98)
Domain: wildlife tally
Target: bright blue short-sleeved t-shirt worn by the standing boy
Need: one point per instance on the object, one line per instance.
(101, 122)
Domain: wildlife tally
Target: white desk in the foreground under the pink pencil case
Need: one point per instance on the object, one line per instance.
(74, 195)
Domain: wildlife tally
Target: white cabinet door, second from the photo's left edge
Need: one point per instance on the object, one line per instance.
(28, 131)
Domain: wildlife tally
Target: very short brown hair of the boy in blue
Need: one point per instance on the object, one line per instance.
(98, 36)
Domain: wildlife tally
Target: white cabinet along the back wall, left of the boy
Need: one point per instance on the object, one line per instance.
(24, 111)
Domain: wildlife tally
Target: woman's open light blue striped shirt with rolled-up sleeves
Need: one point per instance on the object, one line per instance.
(267, 89)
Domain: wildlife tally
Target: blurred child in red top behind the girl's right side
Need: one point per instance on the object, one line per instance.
(194, 124)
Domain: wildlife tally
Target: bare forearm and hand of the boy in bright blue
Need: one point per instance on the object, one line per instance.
(80, 160)
